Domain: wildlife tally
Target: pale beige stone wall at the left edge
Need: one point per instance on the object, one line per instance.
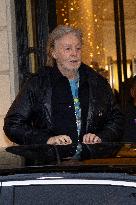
(8, 62)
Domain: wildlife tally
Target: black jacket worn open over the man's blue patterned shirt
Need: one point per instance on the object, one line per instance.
(30, 121)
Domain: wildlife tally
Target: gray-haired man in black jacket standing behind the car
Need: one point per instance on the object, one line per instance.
(66, 102)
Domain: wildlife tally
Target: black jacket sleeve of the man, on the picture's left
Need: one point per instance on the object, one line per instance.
(18, 124)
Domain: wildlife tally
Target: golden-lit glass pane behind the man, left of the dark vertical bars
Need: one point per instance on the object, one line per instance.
(96, 20)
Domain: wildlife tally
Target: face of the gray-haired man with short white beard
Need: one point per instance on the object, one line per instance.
(67, 52)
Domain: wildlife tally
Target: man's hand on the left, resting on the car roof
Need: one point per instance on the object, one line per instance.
(59, 140)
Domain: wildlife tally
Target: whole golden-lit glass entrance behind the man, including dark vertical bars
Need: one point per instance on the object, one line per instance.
(109, 36)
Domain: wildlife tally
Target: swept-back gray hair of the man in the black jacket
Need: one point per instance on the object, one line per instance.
(57, 33)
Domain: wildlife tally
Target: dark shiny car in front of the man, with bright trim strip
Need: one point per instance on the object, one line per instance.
(46, 174)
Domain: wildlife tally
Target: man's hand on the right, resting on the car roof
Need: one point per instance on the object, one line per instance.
(91, 139)
